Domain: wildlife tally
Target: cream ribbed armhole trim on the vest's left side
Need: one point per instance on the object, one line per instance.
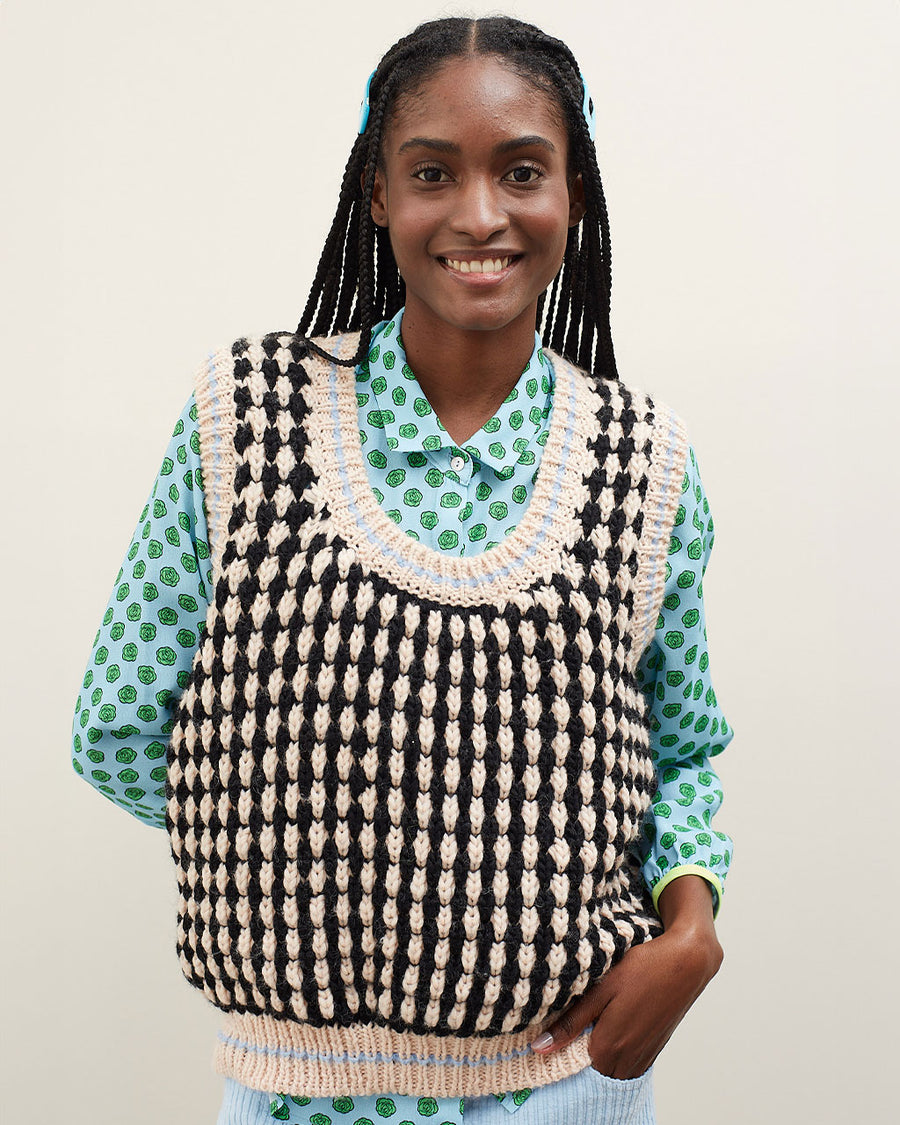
(214, 392)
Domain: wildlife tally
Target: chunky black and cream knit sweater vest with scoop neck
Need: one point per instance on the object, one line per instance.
(403, 786)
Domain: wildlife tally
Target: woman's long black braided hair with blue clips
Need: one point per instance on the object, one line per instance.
(357, 284)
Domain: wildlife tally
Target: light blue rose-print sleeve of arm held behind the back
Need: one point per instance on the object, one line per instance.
(145, 649)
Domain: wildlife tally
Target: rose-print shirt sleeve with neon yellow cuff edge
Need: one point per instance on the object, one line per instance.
(688, 726)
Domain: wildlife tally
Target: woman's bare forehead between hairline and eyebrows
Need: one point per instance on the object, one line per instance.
(476, 98)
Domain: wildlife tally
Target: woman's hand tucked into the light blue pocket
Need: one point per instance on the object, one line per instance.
(641, 1002)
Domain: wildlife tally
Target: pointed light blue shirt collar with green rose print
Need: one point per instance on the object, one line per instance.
(391, 383)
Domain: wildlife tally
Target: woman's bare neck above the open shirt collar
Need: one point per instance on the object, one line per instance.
(466, 374)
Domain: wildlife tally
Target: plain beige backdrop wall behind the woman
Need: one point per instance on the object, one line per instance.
(169, 173)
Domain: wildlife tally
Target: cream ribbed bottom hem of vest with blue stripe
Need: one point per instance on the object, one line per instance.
(320, 1063)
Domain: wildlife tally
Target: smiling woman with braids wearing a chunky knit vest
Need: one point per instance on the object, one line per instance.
(454, 644)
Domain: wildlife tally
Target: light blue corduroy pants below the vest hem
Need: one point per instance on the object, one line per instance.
(587, 1099)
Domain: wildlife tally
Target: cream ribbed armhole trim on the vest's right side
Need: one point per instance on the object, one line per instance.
(669, 457)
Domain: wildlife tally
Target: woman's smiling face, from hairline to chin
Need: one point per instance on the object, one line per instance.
(476, 196)
